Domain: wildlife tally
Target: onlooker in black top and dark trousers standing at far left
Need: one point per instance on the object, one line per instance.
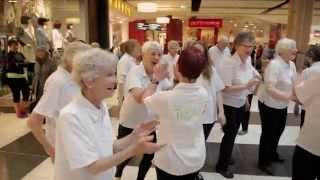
(17, 78)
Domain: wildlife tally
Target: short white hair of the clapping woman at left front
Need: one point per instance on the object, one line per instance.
(90, 64)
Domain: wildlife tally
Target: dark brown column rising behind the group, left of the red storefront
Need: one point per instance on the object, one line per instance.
(98, 22)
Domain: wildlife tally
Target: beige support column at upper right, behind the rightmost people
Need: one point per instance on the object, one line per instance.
(299, 25)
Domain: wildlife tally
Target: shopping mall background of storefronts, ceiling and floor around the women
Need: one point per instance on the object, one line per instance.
(110, 23)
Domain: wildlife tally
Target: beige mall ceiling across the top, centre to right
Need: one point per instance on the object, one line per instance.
(227, 9)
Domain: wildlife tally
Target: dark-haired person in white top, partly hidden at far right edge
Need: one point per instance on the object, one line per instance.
(314, 54)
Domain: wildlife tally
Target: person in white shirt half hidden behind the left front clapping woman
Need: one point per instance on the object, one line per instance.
(59, 89)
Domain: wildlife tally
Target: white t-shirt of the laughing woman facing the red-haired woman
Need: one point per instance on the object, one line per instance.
(132, 112)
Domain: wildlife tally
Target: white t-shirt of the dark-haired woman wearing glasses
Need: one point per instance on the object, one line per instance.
(236, 73)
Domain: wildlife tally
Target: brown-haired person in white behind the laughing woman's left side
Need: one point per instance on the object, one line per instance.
(125, 64)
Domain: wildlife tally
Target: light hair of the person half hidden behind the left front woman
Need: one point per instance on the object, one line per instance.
(71, 50)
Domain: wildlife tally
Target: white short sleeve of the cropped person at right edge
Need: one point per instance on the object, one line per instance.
(308, 89)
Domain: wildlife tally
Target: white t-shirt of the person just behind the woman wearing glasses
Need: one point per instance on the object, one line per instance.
(218, 56)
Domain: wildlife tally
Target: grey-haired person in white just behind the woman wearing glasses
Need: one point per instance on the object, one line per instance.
(218, 52)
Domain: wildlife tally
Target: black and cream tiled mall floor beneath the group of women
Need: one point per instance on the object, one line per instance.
(21, 157)
